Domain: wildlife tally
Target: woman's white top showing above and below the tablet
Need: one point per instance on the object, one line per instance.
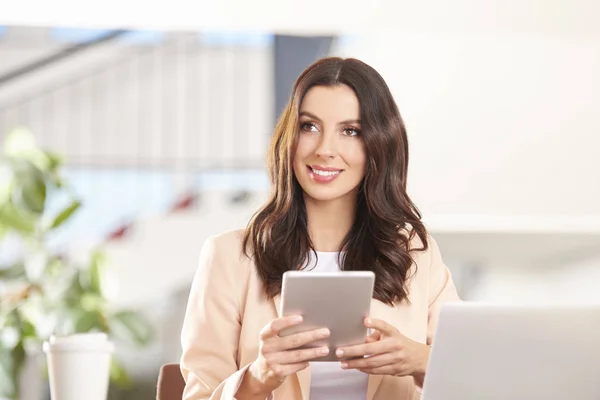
(328, 380)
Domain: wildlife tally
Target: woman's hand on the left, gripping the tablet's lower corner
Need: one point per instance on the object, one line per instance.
(279, 357)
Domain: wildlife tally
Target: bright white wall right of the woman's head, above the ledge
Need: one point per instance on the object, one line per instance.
(498, 124)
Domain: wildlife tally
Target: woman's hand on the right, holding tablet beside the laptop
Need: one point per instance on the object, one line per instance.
(388, 353)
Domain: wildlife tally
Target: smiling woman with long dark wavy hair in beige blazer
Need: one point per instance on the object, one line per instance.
(338, 164)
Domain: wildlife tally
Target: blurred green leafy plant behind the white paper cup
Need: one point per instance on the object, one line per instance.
(43, 291)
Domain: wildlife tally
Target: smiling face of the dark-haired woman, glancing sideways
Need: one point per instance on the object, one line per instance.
(329, 162)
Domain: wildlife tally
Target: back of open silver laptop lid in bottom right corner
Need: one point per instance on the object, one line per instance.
(493, 352)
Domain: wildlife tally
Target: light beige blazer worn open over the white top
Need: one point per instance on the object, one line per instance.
(227, 308)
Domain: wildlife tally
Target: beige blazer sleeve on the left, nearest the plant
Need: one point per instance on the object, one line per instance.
(211, 328)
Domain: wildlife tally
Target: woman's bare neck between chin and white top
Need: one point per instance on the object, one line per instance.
(329, 222)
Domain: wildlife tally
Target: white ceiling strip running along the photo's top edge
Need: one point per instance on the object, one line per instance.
(333, 16)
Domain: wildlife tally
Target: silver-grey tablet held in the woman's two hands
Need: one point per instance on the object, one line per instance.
(339, 301)
